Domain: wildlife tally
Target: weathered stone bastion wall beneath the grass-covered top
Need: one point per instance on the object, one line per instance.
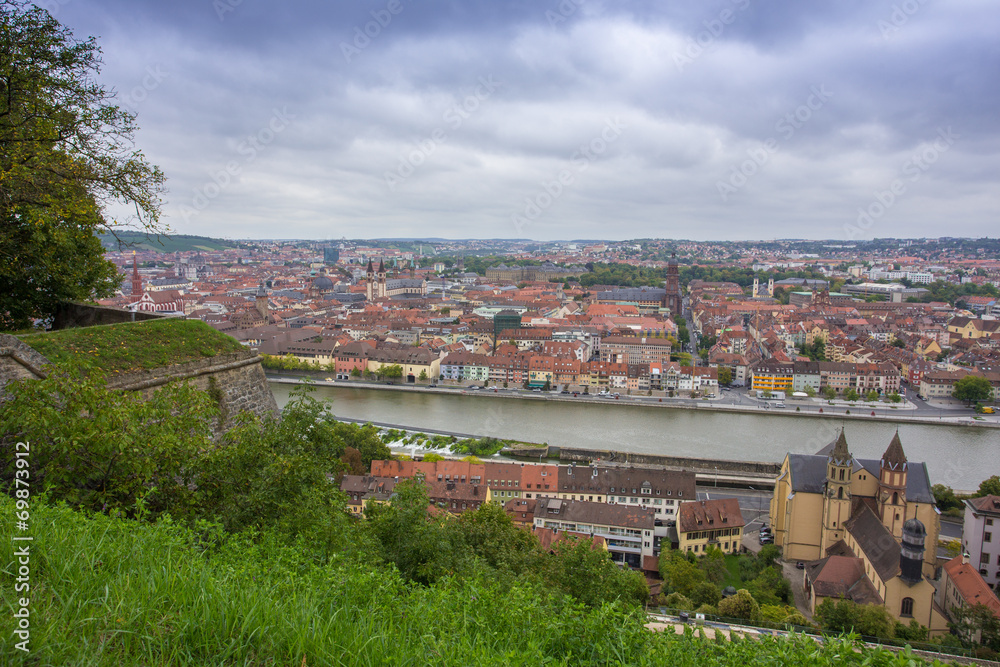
(236, 380)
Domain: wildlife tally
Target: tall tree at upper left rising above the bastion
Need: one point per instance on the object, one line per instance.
(65, 156)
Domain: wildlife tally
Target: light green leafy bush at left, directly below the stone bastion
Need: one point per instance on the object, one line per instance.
(101, 449)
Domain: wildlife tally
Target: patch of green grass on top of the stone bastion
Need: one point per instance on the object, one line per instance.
(121, 348)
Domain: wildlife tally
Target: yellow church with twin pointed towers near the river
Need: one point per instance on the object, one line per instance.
(867, 529)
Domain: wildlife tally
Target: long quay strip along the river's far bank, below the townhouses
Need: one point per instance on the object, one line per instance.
(860, 412)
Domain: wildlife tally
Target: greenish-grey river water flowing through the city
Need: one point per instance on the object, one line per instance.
(957, 456)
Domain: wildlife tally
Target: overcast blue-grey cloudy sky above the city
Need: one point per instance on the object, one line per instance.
(719, 119)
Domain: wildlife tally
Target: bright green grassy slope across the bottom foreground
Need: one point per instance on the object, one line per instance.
(113, 592)
